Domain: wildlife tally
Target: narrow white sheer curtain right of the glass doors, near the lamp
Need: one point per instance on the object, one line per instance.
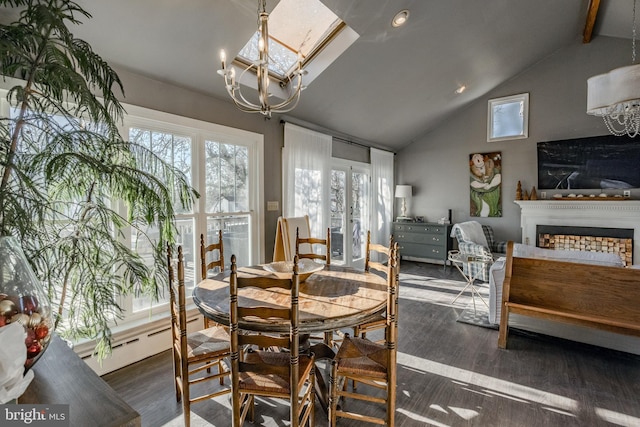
(381, 201)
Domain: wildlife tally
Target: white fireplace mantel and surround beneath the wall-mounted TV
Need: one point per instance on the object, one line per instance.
(607, 218)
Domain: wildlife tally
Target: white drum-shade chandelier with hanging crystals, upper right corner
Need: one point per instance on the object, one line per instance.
(615, 96)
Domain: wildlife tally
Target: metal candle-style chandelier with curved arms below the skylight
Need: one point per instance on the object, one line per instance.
(292, 85)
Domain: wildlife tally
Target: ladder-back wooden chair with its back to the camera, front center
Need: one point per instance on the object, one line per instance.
(281, 372)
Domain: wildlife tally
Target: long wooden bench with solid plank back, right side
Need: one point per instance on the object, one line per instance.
(596, 296)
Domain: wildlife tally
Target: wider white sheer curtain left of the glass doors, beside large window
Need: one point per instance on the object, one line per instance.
(306, 178)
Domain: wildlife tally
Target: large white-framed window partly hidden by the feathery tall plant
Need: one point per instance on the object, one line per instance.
(225, 166)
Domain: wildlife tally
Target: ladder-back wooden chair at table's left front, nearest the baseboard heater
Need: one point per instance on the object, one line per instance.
(195, 352)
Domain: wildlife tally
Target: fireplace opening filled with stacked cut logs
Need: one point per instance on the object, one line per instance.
(618, 241)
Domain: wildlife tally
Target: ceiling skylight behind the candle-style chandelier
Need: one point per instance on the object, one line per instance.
(296, 27)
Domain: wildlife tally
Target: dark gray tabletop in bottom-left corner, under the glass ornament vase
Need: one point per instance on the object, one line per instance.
(61, 377)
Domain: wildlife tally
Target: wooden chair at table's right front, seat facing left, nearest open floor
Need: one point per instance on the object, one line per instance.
(368, 362)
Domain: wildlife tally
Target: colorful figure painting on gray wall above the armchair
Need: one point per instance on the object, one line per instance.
(485, 184)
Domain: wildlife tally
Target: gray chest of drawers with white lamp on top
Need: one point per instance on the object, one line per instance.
(423, 240)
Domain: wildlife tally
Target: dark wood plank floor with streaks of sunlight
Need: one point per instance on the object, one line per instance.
(449, 374)
